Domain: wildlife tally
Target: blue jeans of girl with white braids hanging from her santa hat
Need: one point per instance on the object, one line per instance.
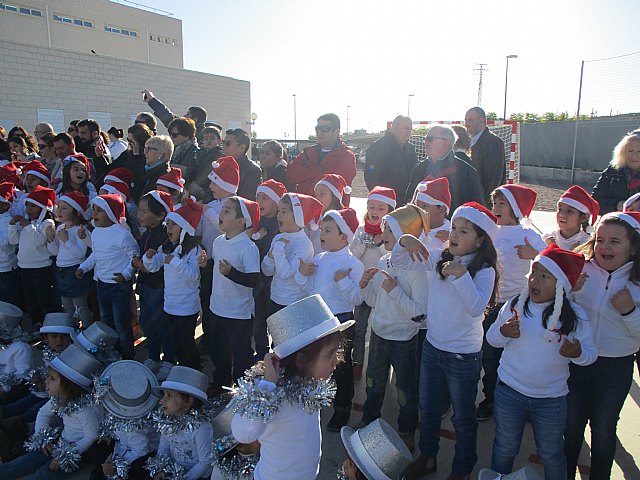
(548, 418)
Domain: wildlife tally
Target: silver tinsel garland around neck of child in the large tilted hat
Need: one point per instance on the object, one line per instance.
(252, 402)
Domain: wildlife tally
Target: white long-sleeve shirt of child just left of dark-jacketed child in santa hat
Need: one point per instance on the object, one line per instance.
(113, 249)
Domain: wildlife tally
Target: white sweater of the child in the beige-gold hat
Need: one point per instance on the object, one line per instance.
(392, 313)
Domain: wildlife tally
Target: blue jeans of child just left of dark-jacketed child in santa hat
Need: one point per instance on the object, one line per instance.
(115, 310)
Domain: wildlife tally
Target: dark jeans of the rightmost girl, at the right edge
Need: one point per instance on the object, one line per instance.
(596, 395)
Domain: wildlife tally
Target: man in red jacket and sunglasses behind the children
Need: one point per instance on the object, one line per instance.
(329, 155)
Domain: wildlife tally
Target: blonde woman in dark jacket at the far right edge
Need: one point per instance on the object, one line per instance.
(621, 178)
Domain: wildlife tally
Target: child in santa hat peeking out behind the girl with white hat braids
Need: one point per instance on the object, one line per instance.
(575, 208)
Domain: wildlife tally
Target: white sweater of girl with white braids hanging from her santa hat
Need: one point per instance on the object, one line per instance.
(530, 364)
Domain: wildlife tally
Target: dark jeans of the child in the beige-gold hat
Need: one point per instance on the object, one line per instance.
(401, 355)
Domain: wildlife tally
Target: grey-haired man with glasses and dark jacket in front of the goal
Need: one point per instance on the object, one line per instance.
(464, 182)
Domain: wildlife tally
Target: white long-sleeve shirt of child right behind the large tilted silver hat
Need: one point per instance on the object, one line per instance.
(342, 296)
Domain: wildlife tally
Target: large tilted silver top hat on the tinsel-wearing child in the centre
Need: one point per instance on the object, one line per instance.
(302, 323)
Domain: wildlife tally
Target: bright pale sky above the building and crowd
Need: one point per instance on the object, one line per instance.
(371, 55)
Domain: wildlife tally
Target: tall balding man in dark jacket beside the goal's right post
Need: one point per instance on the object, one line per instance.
(487, 152)
